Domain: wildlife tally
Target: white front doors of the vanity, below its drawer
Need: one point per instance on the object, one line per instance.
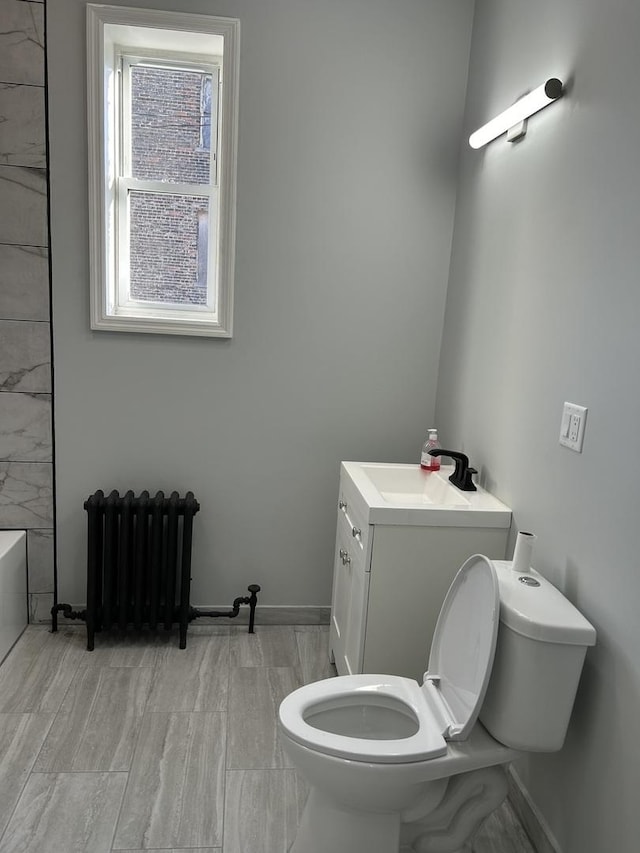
(349, 603)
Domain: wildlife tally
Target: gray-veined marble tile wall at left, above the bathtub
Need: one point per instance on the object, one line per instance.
(25, 367)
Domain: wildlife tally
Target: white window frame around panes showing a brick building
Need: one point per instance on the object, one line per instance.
(113, 33)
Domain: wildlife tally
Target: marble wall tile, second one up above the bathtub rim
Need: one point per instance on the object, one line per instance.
(25, 427)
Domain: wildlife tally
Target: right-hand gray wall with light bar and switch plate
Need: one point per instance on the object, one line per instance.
(543, 306)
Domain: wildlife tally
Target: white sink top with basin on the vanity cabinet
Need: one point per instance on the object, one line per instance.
(391, 493)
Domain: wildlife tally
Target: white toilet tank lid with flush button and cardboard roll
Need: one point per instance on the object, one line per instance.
(538, 610)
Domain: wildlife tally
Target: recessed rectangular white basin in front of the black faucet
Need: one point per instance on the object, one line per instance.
(409, 484)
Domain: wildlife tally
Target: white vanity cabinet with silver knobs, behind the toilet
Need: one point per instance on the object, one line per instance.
(394, 562)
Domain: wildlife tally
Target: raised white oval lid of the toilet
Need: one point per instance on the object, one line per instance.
(463, 647)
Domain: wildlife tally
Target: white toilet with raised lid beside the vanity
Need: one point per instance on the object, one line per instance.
(397, 766)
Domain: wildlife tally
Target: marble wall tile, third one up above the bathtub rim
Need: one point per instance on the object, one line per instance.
(25, 357)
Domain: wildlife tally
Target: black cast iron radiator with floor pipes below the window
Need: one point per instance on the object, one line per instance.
(139, 565)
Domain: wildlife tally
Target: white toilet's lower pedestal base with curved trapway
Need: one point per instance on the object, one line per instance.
(448, 828)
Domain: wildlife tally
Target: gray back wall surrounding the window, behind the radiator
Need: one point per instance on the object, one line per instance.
(350, 119)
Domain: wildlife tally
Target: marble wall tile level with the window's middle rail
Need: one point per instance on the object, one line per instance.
(24, 193)
